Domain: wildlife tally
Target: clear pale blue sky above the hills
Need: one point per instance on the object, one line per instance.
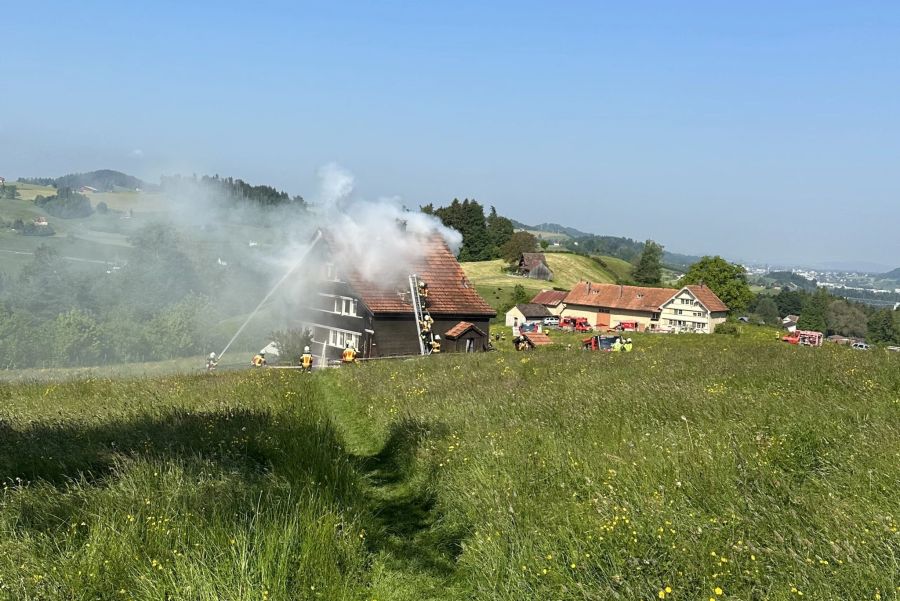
(763, 131)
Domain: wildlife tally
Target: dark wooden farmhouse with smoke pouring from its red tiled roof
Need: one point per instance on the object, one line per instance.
(377, 317)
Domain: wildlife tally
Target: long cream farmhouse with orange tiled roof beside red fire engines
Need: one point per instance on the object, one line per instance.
(690, 309)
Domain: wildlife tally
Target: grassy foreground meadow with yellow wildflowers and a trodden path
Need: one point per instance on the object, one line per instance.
(713, 467)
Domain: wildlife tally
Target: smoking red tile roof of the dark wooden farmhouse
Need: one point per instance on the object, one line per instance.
(449, 290)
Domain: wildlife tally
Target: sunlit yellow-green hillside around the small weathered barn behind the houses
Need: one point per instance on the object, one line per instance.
(496, 286)
